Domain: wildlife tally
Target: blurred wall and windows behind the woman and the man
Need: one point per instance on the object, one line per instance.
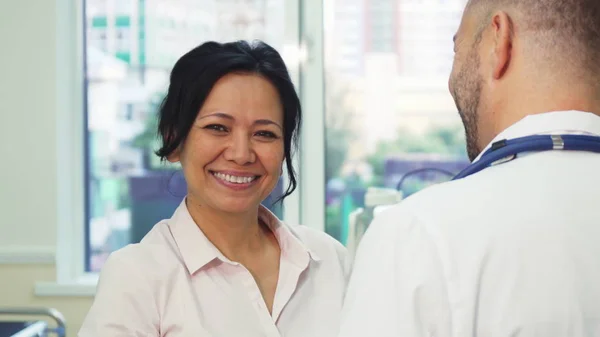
(82, 80)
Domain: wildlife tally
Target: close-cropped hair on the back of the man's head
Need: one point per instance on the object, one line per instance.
(564, 34)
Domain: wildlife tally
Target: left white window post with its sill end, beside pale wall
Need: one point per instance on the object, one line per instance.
(71, 140)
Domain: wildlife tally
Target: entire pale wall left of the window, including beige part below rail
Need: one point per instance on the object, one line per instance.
(31, 97)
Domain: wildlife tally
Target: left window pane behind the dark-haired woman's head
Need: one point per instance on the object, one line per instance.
(131, 46)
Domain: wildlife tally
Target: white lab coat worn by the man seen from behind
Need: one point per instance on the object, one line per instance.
(513, 250)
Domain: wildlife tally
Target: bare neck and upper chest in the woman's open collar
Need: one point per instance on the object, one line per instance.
(235, 235)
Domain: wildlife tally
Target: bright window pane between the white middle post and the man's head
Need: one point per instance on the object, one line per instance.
(389, 115)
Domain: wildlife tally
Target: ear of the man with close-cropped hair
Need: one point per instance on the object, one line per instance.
(502, 30)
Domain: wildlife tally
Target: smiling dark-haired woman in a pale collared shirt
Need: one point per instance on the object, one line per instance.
(230, 118)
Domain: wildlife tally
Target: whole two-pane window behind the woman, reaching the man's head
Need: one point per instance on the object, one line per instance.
(385, 65)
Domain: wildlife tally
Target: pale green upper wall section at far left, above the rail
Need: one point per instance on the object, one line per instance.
(27, 122)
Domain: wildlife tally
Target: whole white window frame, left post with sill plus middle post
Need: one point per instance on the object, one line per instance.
(305, 206)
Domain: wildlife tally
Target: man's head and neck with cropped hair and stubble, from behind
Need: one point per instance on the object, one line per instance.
(514, 58)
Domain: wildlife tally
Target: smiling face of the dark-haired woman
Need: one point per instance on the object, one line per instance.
(233, 155)
